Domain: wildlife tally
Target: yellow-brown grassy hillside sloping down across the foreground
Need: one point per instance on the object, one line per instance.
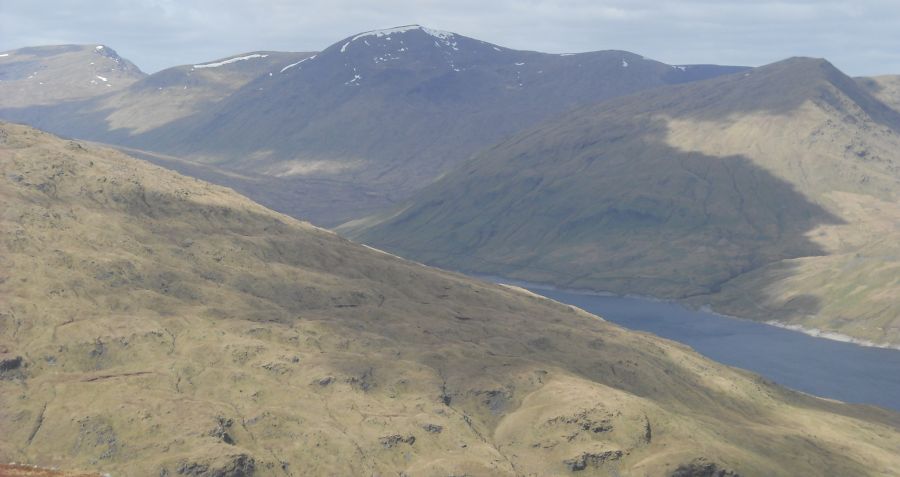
(154, 324)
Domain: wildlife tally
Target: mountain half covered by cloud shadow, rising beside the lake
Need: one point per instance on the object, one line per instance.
(770, 194)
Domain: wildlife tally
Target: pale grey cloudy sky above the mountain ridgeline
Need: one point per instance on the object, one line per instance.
(861, 37)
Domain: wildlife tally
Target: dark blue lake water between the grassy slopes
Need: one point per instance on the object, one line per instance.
(826, 368)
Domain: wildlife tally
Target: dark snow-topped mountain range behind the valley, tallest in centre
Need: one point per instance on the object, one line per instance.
(385, 111)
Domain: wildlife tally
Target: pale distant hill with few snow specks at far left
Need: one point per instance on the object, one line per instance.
(46, 75)
